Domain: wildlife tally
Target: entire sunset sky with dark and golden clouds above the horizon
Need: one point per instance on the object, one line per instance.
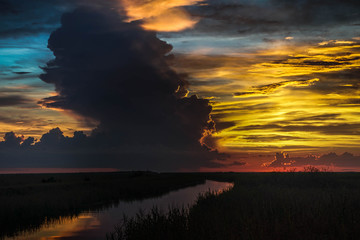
(179, 85)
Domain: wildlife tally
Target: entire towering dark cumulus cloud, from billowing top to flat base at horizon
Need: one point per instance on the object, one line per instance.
(116, 73)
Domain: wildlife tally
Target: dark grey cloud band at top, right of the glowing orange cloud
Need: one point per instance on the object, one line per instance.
(271, 16)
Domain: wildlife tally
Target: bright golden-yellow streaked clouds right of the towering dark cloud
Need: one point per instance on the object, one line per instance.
(274, 108)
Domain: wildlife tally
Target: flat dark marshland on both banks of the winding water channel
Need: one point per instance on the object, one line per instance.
(312, 204)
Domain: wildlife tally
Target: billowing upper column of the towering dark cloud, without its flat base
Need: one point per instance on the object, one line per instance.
(116, 73)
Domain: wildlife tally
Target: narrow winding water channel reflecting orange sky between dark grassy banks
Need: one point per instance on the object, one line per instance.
(95, 224)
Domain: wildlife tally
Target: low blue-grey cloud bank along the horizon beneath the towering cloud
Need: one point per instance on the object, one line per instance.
(55, 150)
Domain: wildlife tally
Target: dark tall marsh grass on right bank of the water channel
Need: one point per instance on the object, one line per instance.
(261, 206)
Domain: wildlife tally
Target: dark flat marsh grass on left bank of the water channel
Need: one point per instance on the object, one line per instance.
(27, 201)
